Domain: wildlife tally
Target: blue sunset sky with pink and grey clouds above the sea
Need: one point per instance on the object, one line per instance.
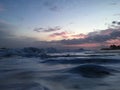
(59, 23)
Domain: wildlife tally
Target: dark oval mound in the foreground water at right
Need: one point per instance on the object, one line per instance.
(92, 71)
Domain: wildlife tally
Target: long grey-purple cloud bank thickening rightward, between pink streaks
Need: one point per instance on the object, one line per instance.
(95, 37)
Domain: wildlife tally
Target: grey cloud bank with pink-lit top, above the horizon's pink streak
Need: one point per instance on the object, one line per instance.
(90, 39)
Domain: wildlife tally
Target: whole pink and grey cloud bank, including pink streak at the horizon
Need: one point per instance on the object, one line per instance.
(95, 39)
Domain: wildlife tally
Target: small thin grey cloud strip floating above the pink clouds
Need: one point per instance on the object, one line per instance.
(56, 28)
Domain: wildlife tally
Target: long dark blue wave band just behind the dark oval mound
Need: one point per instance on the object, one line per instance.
(81, 61)
